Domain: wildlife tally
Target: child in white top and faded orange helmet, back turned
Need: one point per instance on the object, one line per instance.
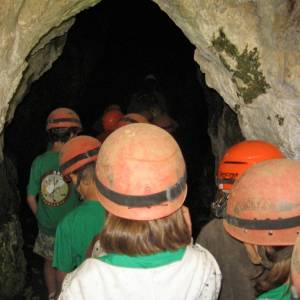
(146, 240)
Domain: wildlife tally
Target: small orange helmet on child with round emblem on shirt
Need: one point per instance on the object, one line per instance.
(63, 118)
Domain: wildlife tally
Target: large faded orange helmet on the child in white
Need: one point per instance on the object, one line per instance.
(141, 173)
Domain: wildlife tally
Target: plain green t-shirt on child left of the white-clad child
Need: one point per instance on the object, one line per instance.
(75, 233)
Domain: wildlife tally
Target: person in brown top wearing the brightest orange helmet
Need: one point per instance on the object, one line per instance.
(231, 254)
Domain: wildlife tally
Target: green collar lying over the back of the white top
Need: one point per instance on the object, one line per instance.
(143, 261)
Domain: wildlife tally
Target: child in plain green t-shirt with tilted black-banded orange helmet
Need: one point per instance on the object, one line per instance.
(77, 230)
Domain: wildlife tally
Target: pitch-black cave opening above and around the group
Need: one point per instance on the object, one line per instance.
(109, 51)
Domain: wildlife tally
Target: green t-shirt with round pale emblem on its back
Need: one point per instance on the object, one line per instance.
(56, 198)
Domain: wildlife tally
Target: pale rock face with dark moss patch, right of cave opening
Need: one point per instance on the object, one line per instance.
(250, 53)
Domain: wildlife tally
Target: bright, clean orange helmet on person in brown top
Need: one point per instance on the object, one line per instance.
(240, 157)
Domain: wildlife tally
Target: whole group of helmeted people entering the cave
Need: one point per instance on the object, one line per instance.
(113, 225)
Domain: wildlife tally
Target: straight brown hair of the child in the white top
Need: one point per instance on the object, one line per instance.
(133, 237)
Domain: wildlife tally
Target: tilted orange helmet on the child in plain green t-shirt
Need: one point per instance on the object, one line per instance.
(78, 152)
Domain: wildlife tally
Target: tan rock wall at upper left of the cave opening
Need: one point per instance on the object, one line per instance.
(32, 36)
